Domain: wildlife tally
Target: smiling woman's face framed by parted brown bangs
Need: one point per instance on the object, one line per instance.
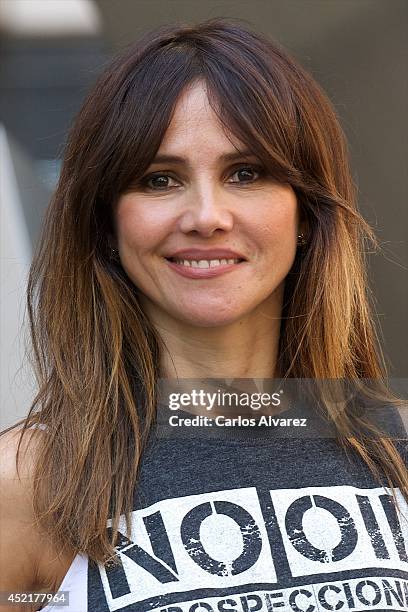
(206, 236)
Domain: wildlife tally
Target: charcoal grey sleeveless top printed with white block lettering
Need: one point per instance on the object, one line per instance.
(246, 521)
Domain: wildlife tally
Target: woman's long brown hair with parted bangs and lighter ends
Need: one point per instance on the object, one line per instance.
(96, 353)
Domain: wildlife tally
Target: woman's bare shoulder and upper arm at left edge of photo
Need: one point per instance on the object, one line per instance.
(28, 560)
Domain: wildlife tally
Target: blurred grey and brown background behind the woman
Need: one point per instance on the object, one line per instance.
(51, 51)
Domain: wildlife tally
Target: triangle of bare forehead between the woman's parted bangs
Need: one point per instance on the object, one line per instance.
(195, 126)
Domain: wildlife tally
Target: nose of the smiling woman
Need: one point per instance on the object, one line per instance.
(206, 211)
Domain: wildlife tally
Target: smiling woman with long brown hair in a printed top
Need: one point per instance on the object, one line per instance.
(204, 226)
